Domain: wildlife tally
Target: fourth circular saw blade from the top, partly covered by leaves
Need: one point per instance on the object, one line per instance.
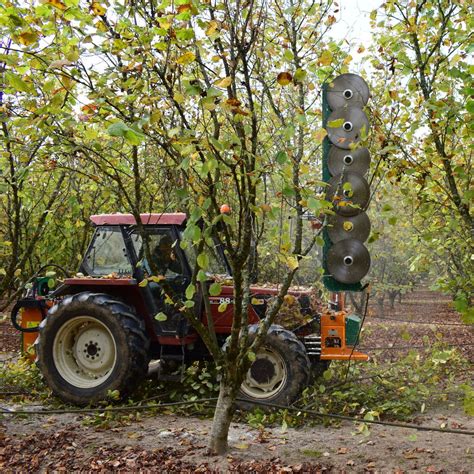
(349, 193)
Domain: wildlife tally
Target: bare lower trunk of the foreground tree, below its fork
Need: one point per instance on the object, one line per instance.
(222, 418)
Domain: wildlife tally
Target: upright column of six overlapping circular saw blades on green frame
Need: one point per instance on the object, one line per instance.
(346, 162)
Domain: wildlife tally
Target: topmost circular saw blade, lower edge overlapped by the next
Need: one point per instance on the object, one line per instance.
(347, 89)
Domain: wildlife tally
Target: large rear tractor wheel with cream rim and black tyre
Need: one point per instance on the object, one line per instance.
(90, 344)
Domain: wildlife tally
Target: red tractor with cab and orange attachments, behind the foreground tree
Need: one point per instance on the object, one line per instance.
(98, 330)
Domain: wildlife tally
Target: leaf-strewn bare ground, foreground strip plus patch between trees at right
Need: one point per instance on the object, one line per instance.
(168, 443)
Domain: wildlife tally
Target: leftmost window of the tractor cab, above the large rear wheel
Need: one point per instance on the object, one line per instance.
(107, 254)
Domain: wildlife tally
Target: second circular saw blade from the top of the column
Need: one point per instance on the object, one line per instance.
(347, 126)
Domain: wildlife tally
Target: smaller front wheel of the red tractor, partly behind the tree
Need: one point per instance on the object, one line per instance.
(280, 371)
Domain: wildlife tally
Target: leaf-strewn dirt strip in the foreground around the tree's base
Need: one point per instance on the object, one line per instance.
(175, 444)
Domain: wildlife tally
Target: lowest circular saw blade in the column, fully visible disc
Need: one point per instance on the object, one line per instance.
(348, 261)
